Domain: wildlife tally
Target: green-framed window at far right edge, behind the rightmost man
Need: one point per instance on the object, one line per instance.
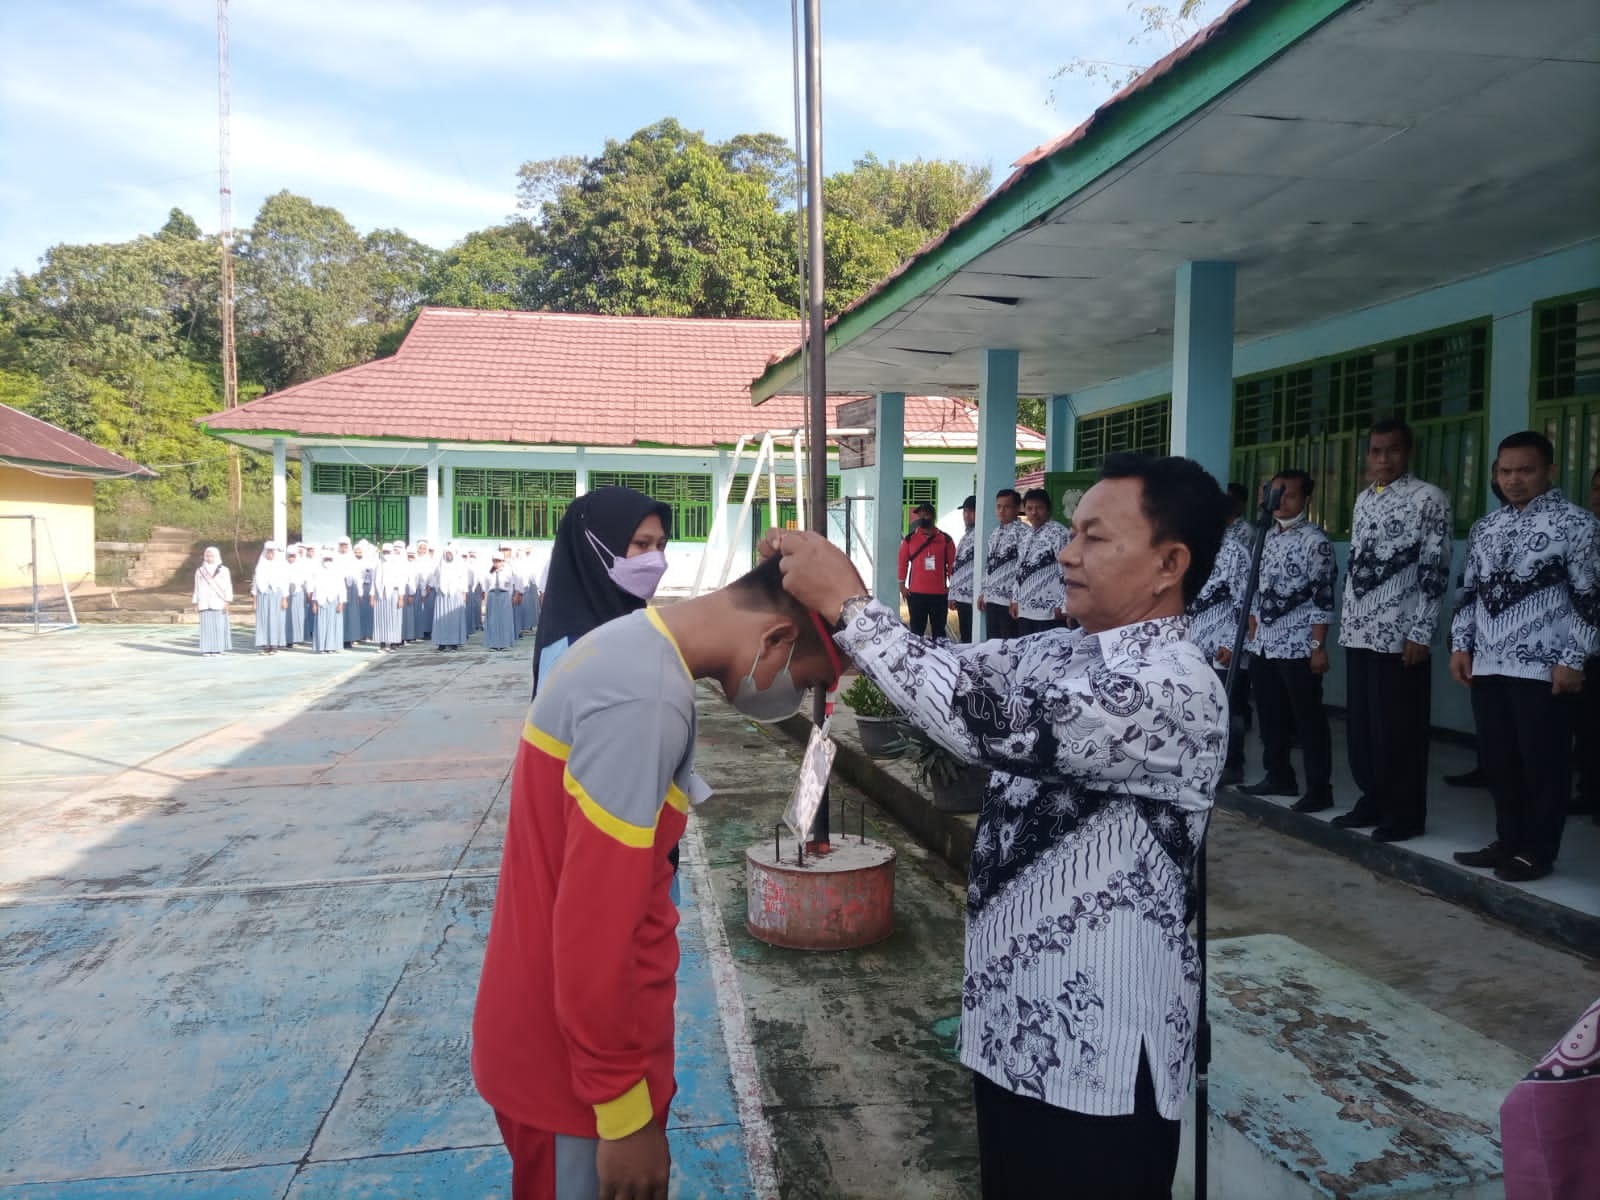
(1566, 401)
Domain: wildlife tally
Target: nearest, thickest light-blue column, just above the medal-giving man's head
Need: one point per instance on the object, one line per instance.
(1204, 366)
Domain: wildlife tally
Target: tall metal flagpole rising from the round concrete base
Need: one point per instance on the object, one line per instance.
(817, 318)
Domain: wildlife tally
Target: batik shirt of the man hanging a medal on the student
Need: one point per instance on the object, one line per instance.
(1106, 753)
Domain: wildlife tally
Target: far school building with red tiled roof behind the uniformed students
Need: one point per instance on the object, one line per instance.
(484, 426)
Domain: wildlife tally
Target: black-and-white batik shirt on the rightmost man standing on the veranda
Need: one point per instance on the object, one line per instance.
(1530, 590)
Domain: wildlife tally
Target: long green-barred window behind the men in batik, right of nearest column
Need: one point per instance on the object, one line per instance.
(1316, 417)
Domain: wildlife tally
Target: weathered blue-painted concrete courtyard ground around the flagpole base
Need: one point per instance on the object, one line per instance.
(244, 903)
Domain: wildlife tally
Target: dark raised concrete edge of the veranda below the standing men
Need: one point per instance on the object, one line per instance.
(951, 839)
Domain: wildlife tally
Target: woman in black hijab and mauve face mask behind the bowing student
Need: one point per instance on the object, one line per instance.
(609, 556)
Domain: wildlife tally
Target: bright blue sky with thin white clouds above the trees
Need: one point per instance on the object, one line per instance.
(415, 114)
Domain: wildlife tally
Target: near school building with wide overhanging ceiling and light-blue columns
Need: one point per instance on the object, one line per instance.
(1311, 215)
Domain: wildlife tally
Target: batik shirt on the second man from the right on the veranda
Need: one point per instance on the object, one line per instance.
(1401, 543)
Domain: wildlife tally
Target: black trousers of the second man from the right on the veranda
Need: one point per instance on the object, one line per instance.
(1390, 718)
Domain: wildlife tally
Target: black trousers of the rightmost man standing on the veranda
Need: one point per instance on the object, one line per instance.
(1526, 745)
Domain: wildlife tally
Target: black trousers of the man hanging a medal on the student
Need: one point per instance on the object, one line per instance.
(1034, 1151)
